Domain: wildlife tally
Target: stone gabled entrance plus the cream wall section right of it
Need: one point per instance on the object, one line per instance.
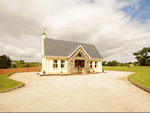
(79, 60)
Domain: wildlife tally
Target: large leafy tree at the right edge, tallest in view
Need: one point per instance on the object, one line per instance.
(142, 56)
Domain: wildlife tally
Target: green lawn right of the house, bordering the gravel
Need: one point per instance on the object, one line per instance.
(142, 77)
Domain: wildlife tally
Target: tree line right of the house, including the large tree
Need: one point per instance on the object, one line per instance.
(142, 56)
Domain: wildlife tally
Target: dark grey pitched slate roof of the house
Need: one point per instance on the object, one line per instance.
(54, 47)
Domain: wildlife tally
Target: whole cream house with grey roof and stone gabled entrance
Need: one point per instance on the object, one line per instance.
(69, 57)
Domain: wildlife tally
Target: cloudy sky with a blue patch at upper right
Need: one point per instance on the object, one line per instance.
(117, 28)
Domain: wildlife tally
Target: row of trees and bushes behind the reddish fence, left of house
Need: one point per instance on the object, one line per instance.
(6, 62)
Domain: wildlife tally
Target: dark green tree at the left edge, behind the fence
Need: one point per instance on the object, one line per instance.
(5, 62)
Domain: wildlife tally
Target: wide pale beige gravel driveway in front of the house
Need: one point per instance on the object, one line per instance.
(109, 91)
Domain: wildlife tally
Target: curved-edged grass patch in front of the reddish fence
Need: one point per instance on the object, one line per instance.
(6, 83)
